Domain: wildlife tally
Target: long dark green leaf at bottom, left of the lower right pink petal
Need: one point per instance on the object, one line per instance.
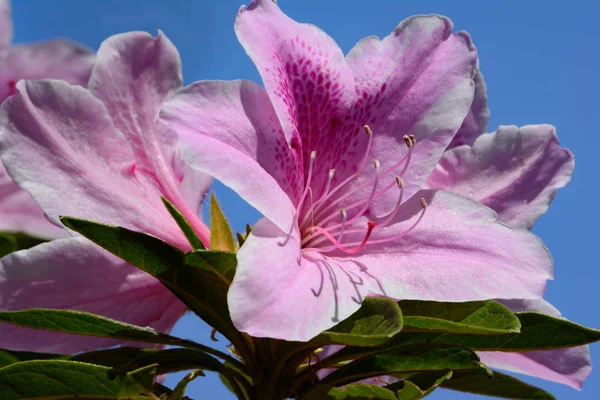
(419, 358)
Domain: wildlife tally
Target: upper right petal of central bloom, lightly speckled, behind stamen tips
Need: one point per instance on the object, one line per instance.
(417, 80)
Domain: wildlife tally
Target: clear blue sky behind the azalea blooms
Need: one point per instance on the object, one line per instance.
(540, 61)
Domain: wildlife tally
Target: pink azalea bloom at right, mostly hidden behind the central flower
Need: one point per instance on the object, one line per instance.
(516, 172)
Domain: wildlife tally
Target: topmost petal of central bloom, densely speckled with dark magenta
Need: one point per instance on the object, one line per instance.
(308, 81)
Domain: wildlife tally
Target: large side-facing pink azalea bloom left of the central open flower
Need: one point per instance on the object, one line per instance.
(98, 154)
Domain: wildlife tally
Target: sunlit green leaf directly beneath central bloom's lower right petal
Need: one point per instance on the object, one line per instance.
(476, 317)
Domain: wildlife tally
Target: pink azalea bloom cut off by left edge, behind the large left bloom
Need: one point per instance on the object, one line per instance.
(60, 59)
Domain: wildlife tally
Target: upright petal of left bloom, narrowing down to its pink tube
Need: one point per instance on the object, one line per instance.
(134, 74)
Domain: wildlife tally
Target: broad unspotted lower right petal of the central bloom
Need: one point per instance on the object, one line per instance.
(458, 252)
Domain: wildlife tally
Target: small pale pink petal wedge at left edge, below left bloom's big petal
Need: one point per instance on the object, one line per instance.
(20, 213)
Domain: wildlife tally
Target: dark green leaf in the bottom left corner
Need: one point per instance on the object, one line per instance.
(61, 379)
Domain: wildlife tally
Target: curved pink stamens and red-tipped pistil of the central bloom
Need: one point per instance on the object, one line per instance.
(317, 217)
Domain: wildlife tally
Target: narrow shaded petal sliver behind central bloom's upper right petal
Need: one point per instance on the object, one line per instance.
(476, 121)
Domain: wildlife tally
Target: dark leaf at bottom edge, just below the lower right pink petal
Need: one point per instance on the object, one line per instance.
(498, 385)
